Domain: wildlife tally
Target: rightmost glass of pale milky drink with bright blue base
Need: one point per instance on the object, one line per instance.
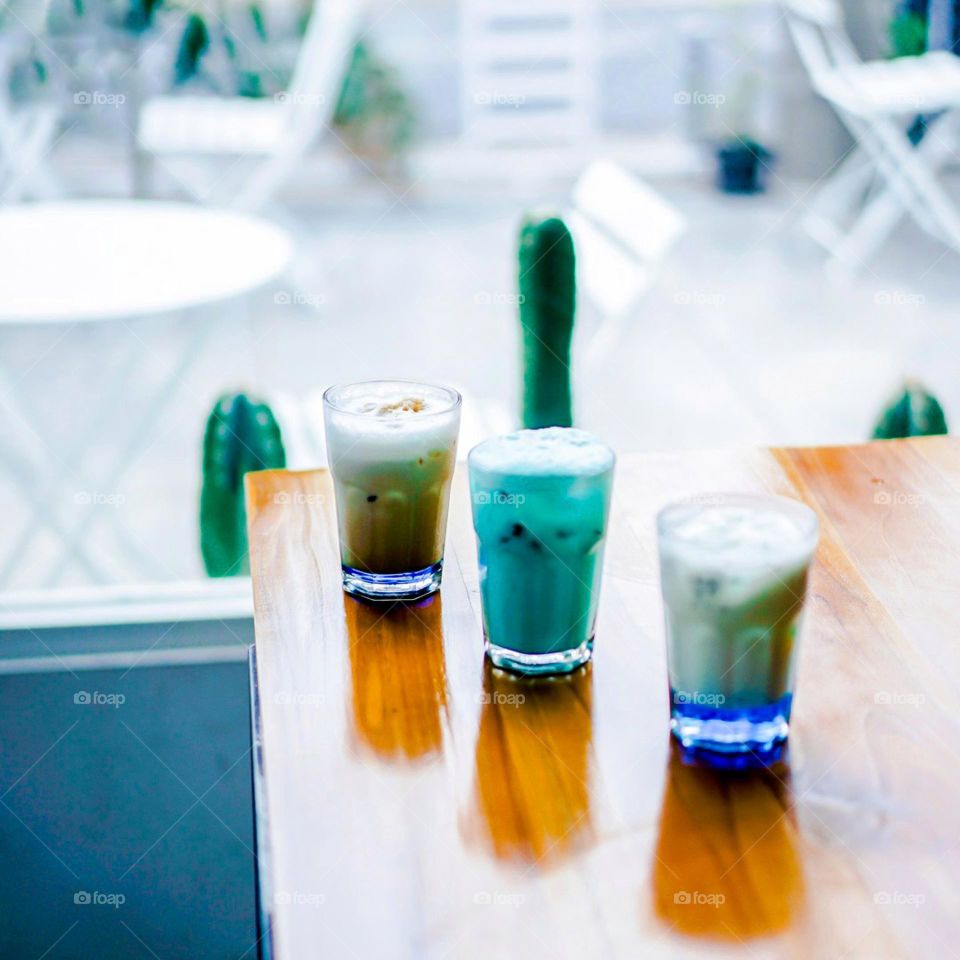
(733, 571)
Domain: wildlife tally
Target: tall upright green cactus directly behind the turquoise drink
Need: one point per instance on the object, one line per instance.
(548, 297)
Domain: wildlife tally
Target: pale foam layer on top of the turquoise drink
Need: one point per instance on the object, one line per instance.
(561, 451)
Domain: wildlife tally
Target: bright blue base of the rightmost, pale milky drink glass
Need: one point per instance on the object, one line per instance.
(755, 730)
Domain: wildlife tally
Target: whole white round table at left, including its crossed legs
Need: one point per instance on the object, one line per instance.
(84, 261)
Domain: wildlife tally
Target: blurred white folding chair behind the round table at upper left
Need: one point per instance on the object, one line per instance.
(278, 132)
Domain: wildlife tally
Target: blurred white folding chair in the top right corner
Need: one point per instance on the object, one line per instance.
(885, 175)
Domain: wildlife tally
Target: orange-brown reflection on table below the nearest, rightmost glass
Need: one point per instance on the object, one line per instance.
(726, 863)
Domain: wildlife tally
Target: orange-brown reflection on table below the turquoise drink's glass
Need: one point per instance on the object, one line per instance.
(531, 789)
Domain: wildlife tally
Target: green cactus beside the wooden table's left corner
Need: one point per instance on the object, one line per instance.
(242, 435)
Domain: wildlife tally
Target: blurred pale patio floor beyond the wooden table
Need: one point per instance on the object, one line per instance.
(742, 340)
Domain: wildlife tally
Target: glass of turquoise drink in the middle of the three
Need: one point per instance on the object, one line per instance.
(541, 499)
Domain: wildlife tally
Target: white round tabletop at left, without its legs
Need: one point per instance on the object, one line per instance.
(106, 260)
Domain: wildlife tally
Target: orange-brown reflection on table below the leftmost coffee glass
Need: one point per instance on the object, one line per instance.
(398, 677)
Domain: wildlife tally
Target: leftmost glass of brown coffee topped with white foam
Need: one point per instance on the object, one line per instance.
(392, 447)
